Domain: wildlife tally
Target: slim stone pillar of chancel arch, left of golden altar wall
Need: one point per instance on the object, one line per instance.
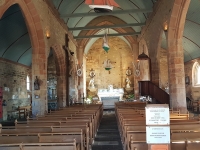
(80, 78)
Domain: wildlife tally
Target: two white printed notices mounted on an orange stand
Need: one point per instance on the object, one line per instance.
(157, 126)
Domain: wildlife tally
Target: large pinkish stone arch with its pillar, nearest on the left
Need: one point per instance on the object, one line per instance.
(39, 57)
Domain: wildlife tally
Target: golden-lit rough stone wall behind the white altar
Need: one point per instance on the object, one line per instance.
(121, 57)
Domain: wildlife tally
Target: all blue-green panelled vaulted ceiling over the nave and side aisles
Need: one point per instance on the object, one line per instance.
(15, 43)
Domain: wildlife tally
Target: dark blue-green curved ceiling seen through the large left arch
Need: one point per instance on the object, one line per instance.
(14, 37)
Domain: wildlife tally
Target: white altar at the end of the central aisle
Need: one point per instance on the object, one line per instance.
(109, 96)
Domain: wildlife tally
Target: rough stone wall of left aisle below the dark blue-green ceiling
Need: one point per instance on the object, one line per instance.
(13, 80)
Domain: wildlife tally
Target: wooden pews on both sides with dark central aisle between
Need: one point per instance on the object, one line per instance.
(88, 127)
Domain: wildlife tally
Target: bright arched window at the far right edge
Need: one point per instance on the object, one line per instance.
(196, 74)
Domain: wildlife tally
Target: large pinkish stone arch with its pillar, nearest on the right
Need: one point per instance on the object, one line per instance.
(175, 55)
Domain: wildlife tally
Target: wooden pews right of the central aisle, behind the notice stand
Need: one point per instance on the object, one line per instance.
(132, 127)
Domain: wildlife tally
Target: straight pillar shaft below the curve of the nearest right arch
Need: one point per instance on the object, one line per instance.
(176, 75)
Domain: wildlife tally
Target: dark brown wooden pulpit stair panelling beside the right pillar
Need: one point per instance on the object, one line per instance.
(149, 88)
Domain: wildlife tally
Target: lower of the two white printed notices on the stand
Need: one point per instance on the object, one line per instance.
(157, 134)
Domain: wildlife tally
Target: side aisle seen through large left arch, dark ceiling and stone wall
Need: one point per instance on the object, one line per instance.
(15, 60)
